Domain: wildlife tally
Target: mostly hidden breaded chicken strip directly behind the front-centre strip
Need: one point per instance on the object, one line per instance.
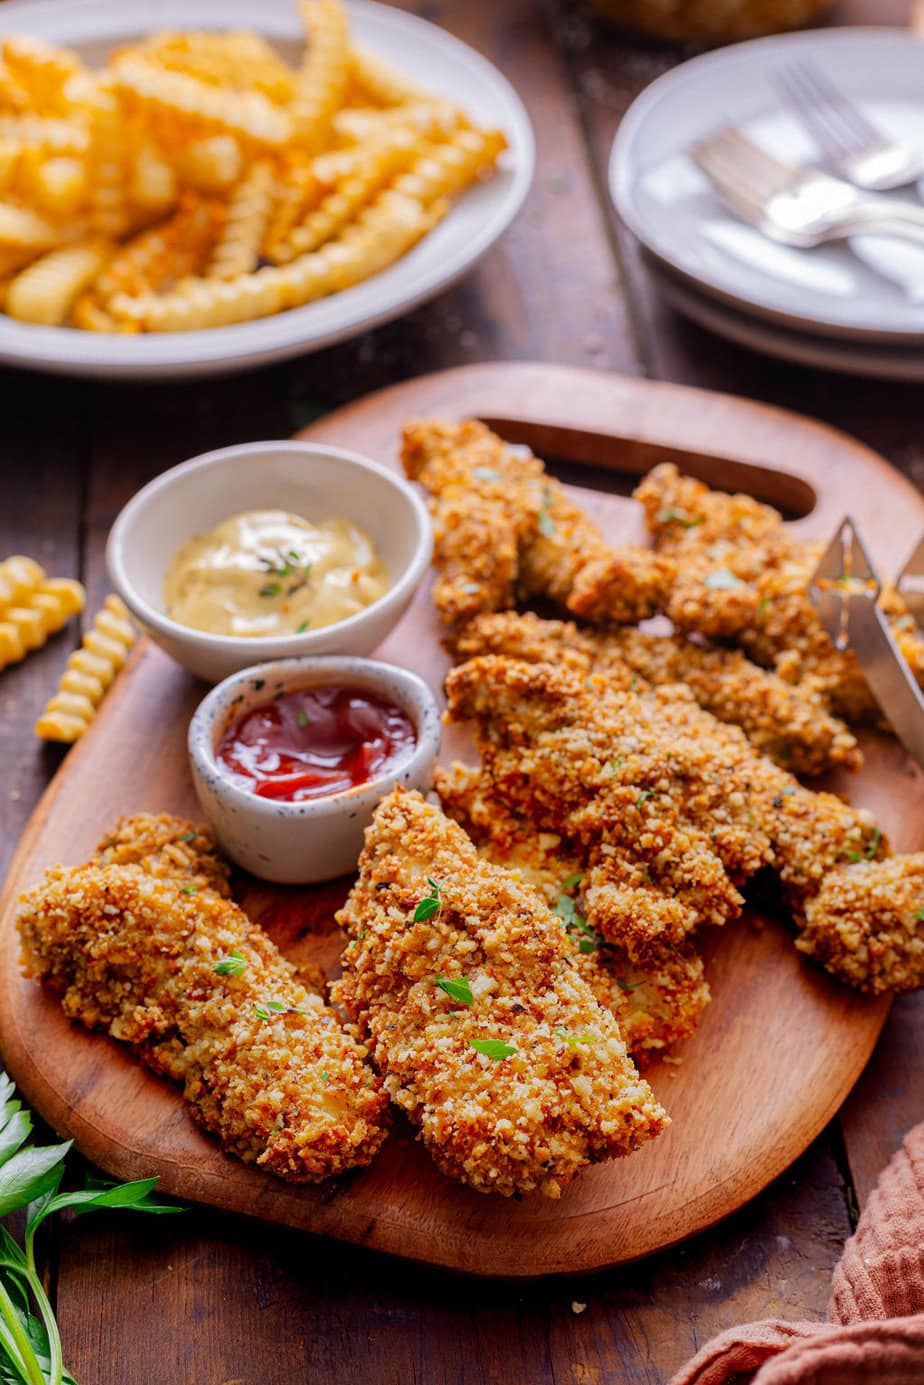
(656, 1006)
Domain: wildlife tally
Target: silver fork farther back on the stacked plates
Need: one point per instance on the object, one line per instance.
(853, 146)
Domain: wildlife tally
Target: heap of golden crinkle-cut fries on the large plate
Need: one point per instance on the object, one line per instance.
(200, 181)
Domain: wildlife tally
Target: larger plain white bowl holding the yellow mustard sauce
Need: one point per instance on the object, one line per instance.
(308, 480)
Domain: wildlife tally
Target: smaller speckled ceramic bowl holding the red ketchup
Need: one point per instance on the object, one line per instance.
(300, 844)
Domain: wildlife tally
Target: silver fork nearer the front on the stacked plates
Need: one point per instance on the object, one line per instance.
(797, 206)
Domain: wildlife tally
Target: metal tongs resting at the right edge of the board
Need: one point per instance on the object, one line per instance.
(846, 592)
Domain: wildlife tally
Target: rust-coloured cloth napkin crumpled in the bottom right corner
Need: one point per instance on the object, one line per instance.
(876, 1318)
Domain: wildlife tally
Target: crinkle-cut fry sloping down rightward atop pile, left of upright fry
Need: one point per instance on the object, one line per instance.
(195, 105)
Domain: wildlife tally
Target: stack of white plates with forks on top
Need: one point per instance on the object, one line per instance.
(857, 307)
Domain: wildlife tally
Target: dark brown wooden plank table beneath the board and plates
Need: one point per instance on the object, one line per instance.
(213, 1301)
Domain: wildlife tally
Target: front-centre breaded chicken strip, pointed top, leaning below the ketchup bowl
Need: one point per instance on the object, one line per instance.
(528, 1084)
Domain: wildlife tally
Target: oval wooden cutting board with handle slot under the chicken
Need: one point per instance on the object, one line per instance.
(779, 1048)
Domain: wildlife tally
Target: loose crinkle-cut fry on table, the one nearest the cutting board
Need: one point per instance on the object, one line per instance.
(89, 674)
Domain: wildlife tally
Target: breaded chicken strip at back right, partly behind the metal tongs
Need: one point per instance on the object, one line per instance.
(742, 577)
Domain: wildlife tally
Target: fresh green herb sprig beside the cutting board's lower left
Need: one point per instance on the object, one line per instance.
(30, 1179)
